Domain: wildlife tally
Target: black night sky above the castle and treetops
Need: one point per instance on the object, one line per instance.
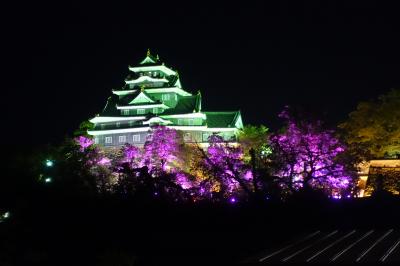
(61, 62)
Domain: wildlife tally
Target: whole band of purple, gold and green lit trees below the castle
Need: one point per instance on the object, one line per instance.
(302, 156)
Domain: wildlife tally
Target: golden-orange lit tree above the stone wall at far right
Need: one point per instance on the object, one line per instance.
(375, 126)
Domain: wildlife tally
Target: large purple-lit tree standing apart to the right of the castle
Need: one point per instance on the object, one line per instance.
(306, 157)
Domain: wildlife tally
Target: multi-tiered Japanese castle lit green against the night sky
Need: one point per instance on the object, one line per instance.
(153, 95)
